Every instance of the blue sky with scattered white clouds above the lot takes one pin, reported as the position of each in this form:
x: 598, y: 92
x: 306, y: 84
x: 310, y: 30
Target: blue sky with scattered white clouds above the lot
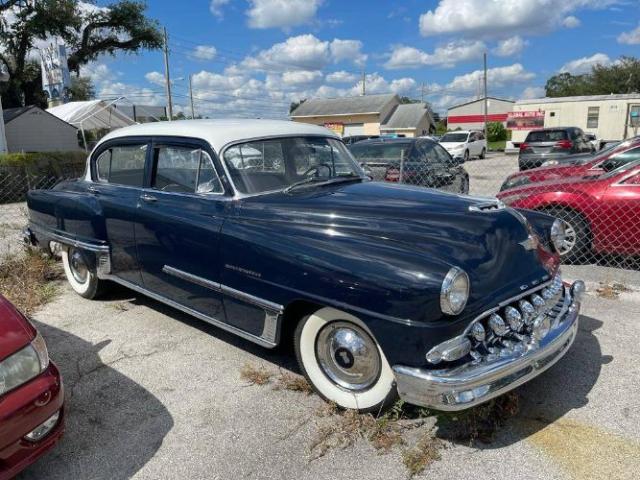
x: 251, y: 58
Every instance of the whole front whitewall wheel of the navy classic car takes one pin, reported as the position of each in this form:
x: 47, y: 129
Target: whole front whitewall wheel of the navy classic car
x: 343, y: 362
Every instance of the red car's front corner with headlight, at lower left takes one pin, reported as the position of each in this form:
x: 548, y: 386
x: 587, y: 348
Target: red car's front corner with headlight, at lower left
x: 31, y: 394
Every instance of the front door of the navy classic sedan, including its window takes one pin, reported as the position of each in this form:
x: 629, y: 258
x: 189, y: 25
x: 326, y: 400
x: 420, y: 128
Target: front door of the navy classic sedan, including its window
x: 180, y: 217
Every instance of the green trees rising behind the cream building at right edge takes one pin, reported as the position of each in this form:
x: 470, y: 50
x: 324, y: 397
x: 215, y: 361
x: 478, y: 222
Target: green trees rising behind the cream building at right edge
x: 621, y: 77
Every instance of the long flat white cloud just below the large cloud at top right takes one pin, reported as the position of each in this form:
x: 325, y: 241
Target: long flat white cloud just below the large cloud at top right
x: 446, y: 55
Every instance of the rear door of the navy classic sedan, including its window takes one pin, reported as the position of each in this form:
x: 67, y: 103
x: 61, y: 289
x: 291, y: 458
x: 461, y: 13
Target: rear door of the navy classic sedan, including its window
x: 118, y: 170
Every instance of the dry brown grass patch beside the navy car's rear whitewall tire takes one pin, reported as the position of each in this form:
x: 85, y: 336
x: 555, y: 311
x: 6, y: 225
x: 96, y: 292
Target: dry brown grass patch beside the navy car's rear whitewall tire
x: 27, y: 280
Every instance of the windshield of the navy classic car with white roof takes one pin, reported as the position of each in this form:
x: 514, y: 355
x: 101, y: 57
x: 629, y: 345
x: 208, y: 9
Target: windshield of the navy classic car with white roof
x: 269, y: 165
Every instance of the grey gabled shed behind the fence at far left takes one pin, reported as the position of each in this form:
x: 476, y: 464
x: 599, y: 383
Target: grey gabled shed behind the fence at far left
x: 31, y: 129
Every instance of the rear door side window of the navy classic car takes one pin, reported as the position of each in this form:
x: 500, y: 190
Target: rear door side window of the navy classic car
x: 122, y: 165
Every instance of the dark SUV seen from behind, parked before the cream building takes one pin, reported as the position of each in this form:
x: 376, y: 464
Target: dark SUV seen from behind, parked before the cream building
x: 547, y: 143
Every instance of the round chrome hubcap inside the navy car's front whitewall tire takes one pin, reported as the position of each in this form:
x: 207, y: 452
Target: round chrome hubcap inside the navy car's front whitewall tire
x: 348, y: 355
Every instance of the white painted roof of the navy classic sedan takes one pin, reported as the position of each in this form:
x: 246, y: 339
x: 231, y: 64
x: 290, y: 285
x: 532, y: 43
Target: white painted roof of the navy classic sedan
x: 221, y: 132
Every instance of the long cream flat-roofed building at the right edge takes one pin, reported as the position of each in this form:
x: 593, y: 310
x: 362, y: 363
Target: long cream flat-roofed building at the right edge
x: 608, y: 117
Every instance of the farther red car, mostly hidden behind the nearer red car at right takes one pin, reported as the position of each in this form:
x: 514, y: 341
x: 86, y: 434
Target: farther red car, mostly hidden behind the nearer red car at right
x: 585, y: 165
